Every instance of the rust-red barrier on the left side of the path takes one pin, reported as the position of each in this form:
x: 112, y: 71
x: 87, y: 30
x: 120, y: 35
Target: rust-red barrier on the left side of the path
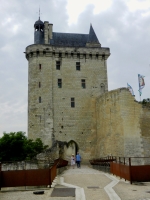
x: 32, y: 177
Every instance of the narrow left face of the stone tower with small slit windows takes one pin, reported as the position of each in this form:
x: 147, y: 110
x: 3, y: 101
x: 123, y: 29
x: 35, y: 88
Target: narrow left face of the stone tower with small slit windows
x: 40, y: 115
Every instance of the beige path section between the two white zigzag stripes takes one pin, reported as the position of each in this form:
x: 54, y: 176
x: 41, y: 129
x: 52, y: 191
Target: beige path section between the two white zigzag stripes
x: 92, y: 181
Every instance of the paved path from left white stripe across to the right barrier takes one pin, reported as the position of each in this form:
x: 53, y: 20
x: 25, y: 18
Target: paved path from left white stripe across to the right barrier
x: 103, y: 186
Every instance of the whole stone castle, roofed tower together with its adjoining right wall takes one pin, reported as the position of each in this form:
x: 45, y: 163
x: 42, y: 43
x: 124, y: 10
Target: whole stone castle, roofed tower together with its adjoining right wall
x: 68, y: 98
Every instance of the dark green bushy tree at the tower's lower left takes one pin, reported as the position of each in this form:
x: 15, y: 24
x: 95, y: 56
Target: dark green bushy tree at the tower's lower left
x: 15, y: 146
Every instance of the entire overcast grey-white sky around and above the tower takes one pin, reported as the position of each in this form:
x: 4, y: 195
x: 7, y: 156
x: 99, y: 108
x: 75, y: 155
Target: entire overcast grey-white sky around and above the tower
x: 121, y: 25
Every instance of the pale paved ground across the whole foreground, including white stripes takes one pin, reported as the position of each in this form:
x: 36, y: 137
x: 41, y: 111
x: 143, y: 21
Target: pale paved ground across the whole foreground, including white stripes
x: 90, y: 184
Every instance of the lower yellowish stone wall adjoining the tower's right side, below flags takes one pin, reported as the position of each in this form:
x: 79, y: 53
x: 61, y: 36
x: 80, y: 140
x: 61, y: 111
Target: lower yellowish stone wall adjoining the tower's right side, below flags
x: 123, y: 125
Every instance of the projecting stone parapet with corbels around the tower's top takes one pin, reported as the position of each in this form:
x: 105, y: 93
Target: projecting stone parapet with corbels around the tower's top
x: 60, y: 52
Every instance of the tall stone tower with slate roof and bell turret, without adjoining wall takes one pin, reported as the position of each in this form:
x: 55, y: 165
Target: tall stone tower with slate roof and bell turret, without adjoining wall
x: 66, y: 72
